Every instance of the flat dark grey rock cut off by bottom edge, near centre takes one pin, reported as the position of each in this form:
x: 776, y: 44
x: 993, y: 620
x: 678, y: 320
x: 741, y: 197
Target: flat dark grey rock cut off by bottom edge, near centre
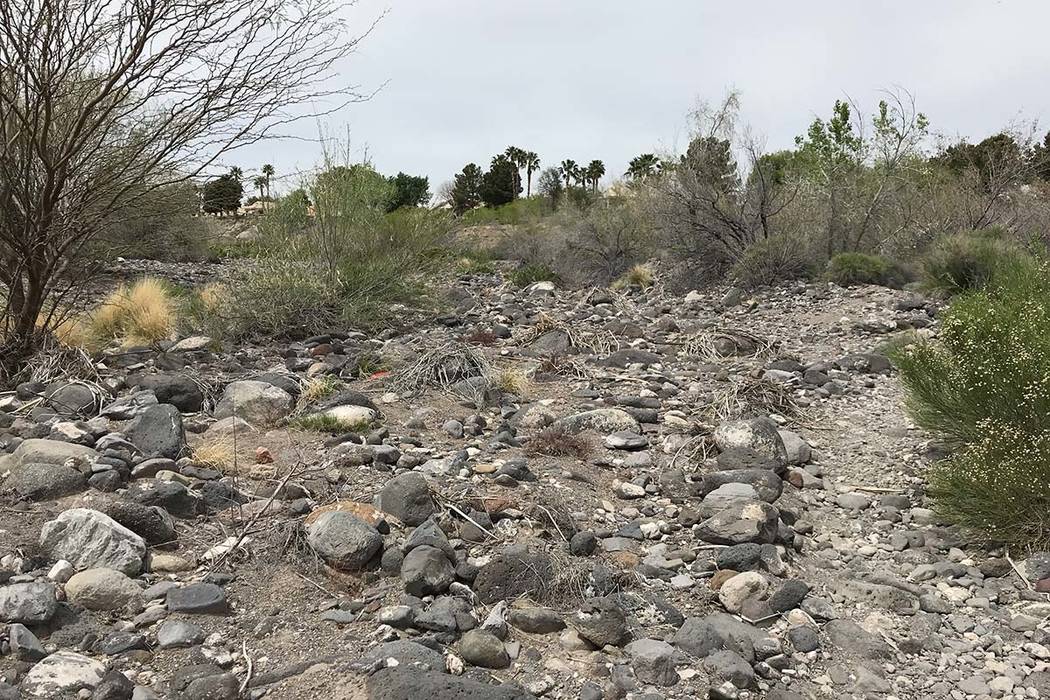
x: 397, y: 684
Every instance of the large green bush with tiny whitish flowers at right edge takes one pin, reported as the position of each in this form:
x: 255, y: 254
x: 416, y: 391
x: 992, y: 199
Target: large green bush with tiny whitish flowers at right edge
x: 983, y: 387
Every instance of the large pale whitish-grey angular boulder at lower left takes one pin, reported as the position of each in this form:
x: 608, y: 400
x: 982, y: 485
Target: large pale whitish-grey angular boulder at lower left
x: 91, y: 540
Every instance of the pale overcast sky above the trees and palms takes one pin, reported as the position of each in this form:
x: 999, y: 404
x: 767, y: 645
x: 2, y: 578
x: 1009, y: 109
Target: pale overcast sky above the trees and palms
x: 611, y: 79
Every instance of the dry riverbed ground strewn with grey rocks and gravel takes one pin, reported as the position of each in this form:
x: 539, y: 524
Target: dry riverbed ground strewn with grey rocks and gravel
x: 551, y: 494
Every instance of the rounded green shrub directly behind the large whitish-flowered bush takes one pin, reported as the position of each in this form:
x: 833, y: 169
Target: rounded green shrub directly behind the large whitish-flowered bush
x: 968, y: 262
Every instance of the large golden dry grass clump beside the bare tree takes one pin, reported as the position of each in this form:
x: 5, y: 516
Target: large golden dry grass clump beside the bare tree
x: 141, y: 313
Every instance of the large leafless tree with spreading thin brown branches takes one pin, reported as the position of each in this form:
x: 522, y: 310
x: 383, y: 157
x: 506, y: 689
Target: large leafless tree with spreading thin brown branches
x: 104, y: 101
